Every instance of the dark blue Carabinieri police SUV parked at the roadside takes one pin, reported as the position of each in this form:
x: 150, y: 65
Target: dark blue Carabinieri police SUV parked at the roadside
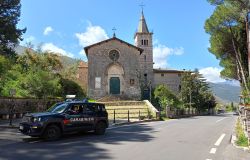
x: 66, y: 117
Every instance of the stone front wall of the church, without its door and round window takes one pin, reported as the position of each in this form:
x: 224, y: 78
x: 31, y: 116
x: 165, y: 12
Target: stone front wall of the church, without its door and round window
x: 99, y: 64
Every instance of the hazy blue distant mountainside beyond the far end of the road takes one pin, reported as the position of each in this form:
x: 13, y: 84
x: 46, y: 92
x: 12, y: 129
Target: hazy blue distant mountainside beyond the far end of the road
x: 225, y: 92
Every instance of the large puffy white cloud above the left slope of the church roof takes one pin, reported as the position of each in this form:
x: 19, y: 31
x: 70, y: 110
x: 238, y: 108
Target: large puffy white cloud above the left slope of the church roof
x: 93, y: 34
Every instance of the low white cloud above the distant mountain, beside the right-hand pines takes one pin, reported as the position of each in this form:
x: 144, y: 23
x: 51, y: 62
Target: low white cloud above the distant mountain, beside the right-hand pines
x: 212, y: 74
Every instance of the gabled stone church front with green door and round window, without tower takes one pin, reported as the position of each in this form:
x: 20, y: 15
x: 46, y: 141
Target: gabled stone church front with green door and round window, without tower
x: 113, y: 69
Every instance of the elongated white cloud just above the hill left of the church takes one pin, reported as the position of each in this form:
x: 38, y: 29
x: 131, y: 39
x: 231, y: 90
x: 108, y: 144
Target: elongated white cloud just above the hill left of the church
x: 50, y: 47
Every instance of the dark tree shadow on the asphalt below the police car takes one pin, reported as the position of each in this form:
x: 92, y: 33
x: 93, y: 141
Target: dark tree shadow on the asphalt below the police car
x: 77, y: 146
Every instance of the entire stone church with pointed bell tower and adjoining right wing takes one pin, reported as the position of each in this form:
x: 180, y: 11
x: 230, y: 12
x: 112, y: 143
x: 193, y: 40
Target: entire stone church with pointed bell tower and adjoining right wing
x: 116, y: 67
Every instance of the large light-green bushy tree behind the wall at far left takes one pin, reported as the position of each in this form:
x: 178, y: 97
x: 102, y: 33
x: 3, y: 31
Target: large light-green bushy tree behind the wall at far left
x: 34, y: 75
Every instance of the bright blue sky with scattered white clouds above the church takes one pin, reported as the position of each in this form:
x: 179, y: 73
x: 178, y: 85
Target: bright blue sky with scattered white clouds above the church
x: 67, y: 26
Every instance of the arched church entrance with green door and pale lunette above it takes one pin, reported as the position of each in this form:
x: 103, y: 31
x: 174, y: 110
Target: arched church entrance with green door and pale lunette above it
x: 115, y: 79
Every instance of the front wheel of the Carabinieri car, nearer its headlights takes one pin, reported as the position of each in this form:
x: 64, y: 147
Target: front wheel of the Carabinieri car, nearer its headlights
x: 52, y: 133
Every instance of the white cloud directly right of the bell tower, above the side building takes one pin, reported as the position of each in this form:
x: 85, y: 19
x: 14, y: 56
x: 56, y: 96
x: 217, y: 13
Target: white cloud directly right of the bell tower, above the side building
x: 161, y: 53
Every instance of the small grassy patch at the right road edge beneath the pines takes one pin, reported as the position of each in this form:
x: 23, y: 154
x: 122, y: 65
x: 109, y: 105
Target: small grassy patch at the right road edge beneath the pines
x: 242, y: 140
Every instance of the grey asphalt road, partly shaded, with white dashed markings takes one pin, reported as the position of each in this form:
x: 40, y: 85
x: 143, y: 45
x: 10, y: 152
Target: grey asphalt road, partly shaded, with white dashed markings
x: 195, y: 138
